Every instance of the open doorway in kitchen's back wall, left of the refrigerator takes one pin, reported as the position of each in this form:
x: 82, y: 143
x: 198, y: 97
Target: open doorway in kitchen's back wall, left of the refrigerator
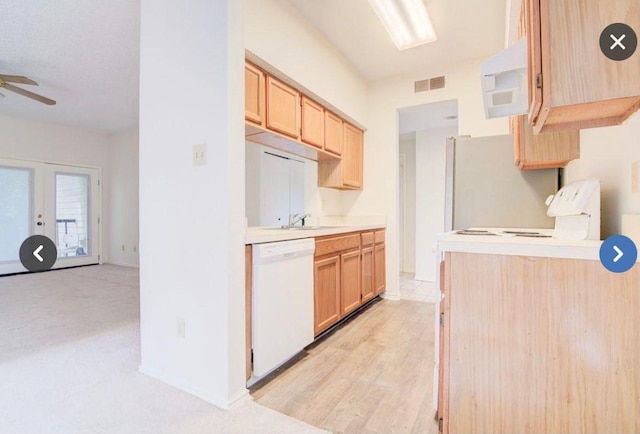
x: 422, y: 137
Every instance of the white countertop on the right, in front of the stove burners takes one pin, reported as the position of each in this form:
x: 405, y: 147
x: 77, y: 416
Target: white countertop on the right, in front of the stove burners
x: 519, y: 246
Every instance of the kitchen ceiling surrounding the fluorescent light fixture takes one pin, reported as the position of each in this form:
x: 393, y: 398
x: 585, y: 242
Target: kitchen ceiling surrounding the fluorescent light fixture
x: 466, y: 29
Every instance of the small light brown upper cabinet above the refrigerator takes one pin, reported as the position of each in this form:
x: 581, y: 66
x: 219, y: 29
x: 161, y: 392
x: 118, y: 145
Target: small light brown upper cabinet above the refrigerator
x: 545, y: 150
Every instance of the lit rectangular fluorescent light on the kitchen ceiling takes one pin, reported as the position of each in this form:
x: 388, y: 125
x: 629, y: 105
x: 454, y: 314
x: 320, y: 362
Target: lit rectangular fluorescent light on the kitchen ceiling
x: 407, y: 21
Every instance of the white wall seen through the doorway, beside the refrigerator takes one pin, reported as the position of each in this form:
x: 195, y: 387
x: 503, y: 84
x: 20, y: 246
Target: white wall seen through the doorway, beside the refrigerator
x: 430, y: 197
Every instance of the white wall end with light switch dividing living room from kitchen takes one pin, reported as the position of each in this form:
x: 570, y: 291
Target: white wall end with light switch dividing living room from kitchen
x: 192, y: 217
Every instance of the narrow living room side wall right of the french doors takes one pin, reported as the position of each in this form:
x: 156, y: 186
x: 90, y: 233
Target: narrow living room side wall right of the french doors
x: 123, y: 198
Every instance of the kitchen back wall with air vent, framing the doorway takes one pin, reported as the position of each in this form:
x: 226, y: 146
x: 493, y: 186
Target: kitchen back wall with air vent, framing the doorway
x: 380, y: 195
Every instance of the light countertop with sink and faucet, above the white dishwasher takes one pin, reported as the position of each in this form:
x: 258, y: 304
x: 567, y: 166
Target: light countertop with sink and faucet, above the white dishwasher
x: 258, y: 235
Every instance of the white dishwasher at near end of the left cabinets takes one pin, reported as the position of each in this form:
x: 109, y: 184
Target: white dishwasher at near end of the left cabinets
x: 282, y: 303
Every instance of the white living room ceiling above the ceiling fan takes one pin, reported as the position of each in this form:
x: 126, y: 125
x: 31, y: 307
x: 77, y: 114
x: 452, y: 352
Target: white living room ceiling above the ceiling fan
x: 84, y: 54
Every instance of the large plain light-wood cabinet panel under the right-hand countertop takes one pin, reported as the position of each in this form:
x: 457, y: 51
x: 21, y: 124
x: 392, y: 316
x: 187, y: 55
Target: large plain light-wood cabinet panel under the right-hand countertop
x: 539, y: 345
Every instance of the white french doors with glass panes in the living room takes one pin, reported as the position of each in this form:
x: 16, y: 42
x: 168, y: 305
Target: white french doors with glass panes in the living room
x: 58, y: 201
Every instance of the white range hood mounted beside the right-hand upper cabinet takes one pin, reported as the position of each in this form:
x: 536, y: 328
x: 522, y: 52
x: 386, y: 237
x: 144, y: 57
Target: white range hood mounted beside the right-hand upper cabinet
x: 504, y: 82
